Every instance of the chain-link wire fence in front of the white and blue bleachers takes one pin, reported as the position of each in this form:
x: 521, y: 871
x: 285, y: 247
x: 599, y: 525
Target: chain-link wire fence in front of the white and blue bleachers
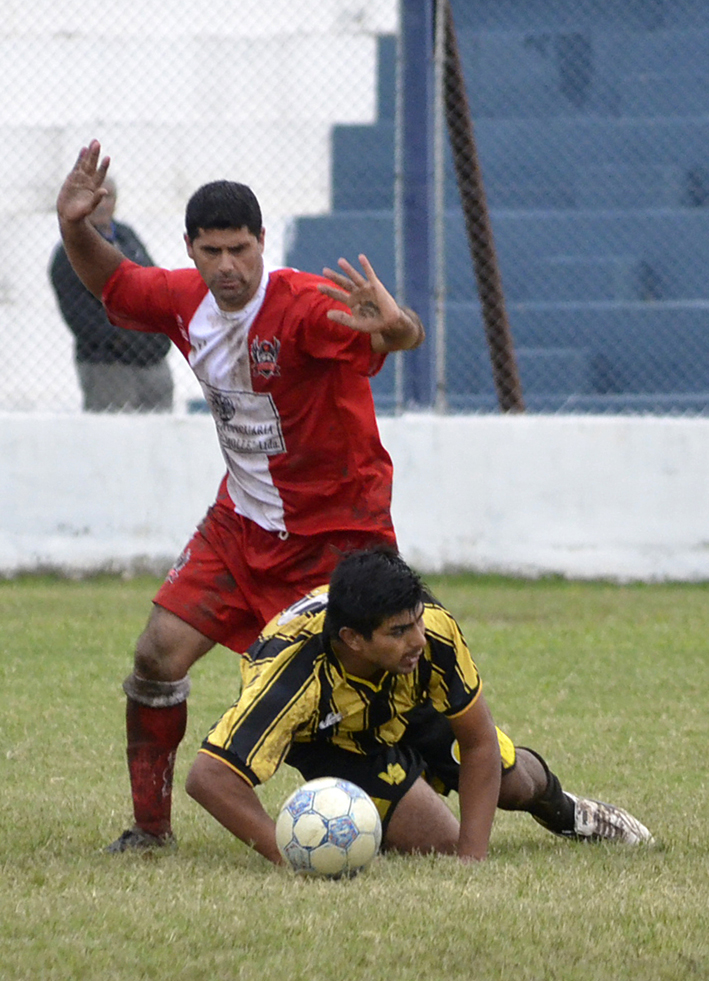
x: 578, y: 284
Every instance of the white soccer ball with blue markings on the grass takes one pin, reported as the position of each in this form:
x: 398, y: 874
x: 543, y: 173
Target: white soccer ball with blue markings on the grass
x: 329, y: 827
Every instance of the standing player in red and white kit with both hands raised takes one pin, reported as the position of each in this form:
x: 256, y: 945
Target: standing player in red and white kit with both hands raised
x: 284, y: 360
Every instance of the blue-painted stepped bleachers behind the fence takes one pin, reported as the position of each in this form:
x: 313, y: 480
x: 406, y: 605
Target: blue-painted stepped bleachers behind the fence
x: 592, y: 128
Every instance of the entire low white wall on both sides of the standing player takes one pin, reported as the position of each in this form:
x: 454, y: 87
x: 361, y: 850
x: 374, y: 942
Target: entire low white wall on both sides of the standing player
x: 620, y: 498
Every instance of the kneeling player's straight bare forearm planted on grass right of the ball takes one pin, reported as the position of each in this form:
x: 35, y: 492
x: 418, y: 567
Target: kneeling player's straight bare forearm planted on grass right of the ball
x: 479, y: 791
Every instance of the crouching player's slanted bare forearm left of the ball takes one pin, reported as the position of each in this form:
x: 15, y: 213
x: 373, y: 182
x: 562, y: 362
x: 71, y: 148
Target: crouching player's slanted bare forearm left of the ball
x: 229, y: 799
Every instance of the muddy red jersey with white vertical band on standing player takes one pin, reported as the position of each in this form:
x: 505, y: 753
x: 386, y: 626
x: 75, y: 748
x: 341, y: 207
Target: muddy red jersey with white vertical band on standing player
x: 288, y: 390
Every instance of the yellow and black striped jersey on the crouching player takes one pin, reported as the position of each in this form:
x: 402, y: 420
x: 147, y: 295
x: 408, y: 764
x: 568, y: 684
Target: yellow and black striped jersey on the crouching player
x: 296, y: 690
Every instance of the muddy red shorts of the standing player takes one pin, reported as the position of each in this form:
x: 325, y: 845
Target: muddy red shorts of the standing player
x: 234, y: 576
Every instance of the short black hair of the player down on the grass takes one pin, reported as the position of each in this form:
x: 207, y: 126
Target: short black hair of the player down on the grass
x: 367, y: 588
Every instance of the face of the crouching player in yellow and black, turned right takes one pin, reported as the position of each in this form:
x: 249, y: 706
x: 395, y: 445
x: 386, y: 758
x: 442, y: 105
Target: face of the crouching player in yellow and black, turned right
x: 395, y: 646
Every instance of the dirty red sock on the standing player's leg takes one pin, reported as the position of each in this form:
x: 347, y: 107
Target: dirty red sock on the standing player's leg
x: 153, y: 737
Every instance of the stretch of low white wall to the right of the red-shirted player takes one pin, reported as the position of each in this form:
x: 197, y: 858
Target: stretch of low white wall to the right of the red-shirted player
x: 584, y: 497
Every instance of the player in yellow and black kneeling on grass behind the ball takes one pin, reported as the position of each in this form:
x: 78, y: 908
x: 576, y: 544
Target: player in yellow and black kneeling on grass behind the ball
x: 372, y: 681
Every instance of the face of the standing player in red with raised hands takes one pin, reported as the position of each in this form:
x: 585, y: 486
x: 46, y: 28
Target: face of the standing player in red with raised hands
x: 230, y: 261
